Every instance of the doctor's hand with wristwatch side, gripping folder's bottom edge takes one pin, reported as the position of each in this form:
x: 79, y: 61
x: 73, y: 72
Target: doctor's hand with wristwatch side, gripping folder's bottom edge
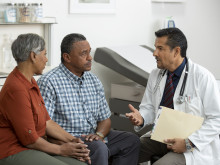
x: 176, y: 145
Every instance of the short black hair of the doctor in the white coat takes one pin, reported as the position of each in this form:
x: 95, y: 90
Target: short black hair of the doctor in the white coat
x: 175, y: 37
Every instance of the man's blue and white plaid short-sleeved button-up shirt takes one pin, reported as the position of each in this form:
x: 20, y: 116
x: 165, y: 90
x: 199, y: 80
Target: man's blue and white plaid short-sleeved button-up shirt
x: 75, y: 103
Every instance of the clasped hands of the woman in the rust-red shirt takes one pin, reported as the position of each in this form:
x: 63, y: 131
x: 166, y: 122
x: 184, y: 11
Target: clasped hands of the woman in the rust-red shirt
x: 75, y: 150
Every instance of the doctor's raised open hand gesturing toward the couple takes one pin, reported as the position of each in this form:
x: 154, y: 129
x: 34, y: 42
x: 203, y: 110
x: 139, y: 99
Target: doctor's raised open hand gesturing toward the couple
x: 135, y: 116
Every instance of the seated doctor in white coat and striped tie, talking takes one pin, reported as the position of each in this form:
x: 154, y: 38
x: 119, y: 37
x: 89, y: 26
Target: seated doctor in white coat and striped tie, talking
x: 195, y: 92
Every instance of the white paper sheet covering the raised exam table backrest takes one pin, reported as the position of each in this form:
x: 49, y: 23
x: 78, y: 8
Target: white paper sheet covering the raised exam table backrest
x: 137, y: 55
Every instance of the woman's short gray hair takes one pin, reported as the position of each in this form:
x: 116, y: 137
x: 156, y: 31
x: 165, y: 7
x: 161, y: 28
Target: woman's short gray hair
x: 25, y: 44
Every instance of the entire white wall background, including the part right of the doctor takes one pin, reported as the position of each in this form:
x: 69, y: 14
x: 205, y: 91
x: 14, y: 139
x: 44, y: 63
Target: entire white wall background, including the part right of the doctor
x: 134, y: 23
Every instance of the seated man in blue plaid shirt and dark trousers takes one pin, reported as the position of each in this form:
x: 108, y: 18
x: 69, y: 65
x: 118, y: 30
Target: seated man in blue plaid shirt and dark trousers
x: 75, y: 99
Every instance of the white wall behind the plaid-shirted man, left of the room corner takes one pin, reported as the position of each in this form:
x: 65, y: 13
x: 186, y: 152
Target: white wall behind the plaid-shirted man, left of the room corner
x: 129, y: 25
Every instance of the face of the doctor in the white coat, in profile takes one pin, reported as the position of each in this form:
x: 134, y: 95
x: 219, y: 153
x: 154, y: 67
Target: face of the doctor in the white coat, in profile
x: 164, y: 56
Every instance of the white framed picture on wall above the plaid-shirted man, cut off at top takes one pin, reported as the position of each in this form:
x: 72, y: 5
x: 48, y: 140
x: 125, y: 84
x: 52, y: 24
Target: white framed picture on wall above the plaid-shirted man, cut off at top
x: 92, y: 6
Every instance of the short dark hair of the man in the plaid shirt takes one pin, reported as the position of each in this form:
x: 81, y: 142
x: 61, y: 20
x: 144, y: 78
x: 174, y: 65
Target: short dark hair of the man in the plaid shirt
x: 68, y: 41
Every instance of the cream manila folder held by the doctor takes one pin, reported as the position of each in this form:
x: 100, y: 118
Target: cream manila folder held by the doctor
x: 175, y: 124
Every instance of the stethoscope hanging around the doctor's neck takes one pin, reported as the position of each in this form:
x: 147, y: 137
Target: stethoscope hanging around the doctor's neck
x: 180, y: 98
